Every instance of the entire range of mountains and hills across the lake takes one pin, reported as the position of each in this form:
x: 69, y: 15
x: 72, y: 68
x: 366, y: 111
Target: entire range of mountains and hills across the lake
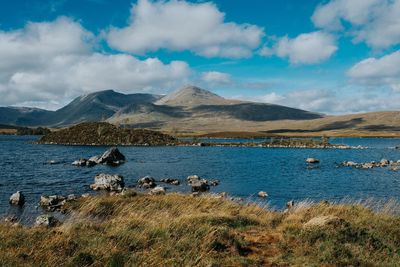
x: 195, y: 110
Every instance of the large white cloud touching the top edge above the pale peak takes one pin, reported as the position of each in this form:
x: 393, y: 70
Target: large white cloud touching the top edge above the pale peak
x: 180, y: 25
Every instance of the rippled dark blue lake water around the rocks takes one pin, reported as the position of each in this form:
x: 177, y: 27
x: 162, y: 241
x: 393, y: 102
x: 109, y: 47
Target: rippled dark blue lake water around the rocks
x: 242, y: 171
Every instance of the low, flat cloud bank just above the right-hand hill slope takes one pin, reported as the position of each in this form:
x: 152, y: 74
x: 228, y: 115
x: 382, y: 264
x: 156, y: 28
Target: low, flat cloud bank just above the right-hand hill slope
x: 333, y: 102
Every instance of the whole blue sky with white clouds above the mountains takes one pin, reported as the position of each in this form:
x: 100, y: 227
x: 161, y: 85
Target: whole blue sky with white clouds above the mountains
x: 328, y: 56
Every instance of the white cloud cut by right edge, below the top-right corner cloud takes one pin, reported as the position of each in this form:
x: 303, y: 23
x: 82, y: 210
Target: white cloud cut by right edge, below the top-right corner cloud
x: 378, y: 71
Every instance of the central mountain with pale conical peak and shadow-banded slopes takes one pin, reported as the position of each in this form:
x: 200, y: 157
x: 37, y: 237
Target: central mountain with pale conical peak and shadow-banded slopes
x: 195, y: 106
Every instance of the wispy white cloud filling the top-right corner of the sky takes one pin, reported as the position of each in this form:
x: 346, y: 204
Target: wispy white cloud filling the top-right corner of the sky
x: 377, y: 22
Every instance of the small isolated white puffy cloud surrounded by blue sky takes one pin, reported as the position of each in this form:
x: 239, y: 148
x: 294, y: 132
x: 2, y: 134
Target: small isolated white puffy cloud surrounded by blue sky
x: 307, y: 48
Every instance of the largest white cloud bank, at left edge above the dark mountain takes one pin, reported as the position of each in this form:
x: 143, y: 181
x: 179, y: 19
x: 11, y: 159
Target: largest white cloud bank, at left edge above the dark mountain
x: 56, y: 60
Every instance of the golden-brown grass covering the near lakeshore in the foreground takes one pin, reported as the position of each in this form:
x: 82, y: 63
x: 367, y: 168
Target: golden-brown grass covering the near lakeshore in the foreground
x: 178, y: 230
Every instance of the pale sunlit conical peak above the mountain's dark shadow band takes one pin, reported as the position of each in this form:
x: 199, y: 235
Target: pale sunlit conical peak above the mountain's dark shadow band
x: 191, y: 96
